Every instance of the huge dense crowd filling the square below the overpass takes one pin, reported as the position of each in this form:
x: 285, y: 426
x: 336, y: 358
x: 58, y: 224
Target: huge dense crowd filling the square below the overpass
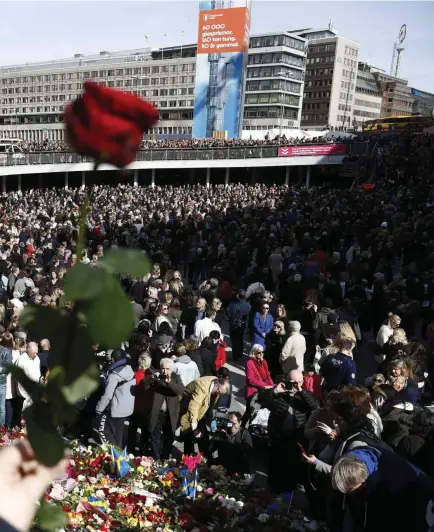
x: 327, y: 297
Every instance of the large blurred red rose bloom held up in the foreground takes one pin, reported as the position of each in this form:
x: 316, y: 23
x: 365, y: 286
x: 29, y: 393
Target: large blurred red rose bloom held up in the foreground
x: 107, y: 124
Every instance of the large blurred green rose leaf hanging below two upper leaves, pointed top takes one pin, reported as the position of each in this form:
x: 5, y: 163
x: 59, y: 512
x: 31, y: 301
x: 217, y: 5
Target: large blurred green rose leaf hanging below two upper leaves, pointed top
x: 110, y: 316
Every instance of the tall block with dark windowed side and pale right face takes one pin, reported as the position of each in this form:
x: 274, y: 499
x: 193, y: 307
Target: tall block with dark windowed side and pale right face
x: 330, y: 83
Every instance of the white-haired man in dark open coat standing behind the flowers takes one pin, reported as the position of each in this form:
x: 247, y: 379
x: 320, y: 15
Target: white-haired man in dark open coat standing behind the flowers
x: 165, y: 389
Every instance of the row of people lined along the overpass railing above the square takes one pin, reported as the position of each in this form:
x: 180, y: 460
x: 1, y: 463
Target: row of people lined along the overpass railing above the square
x: 32, y: 146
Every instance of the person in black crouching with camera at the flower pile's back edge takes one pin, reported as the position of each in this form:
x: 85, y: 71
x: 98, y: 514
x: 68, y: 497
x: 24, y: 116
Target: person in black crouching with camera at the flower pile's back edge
x: 233, y: 445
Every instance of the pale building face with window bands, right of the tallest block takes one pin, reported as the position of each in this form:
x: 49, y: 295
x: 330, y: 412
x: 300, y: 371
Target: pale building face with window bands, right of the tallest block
x: 367, y: 98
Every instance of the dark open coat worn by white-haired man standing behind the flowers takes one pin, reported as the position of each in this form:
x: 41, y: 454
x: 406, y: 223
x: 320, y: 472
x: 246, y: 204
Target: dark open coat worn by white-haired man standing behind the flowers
x: 161, y: 390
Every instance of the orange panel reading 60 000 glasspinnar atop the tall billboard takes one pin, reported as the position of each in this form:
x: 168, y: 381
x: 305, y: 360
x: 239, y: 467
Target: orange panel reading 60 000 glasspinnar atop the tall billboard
x: 222, y: 30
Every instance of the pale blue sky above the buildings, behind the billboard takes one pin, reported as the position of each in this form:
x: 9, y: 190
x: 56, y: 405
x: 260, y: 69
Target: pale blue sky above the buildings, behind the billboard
x: 41, y: 30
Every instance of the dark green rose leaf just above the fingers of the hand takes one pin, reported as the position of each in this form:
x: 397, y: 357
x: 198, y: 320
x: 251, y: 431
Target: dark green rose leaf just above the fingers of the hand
x: 43, y: 436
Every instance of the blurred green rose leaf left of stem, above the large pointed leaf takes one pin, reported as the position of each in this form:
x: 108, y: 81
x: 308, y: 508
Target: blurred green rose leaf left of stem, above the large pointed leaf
x: 84, y: 282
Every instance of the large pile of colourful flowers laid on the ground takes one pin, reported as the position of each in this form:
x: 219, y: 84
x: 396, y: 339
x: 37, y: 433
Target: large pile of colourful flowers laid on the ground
x: 150, y: 496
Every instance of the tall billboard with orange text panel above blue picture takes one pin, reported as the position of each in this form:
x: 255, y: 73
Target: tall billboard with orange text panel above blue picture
x: 221, y: 63
